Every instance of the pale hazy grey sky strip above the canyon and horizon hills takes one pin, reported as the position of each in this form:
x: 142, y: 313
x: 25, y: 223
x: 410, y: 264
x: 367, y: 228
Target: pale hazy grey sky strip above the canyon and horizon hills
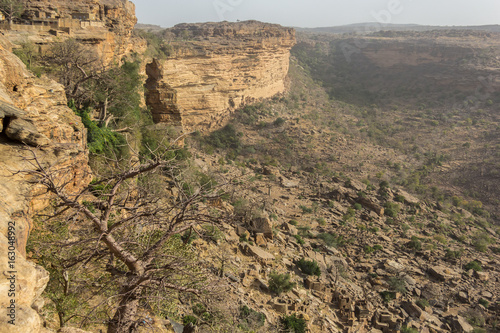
x: 320, y: 13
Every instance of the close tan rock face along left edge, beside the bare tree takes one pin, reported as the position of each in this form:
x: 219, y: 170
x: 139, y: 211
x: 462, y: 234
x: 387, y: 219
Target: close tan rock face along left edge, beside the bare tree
x: 34, y: 121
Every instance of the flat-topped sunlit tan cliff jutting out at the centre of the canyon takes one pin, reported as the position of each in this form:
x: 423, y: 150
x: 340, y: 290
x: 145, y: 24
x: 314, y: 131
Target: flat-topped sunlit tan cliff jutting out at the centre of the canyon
x: 218, y: 68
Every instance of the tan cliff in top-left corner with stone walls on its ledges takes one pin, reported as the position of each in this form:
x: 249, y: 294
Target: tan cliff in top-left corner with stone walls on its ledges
x: 105, y: 24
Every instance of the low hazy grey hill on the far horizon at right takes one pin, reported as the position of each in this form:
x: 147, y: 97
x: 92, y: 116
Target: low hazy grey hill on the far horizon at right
x: 374, y: 27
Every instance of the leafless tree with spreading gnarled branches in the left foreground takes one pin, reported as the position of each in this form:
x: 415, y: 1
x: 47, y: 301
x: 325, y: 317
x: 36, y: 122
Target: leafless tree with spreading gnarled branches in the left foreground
x: 133, y: 219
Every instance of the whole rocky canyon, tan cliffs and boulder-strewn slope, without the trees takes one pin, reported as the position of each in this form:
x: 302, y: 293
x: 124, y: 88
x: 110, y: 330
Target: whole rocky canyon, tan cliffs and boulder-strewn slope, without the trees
x: 294, y: 177
